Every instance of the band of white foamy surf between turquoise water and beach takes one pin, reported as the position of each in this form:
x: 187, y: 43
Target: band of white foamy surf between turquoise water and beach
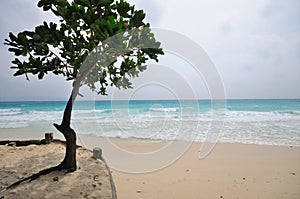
x: 279, y: 127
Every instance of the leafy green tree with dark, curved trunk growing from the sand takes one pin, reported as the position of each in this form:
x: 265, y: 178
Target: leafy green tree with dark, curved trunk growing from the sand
x: 84, y: 30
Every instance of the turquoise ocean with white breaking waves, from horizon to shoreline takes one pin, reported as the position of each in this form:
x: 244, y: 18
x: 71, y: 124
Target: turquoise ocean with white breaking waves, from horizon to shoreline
x: 269, y: 122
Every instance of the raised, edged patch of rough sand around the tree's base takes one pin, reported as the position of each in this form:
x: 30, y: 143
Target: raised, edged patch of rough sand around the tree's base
x: 90, y: 180
